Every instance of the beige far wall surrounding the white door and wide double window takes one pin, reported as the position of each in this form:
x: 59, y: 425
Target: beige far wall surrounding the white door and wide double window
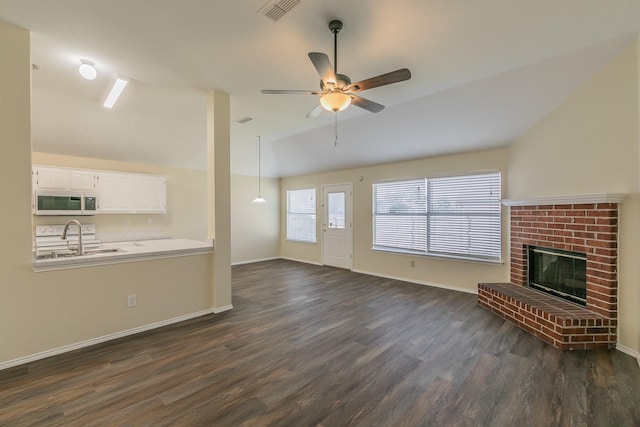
x: 454, y: 274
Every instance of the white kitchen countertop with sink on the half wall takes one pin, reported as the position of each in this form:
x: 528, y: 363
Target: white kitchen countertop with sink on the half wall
x: 127, y: 252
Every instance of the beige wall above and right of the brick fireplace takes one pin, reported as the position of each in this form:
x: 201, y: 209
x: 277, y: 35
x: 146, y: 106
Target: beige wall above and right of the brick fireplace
x: 588, y: 145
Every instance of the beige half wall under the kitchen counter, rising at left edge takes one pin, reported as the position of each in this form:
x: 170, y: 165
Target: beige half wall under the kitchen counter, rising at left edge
x: 41, y: 313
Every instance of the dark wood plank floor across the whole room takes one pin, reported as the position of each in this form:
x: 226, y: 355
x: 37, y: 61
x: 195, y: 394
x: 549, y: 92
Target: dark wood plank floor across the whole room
x: 316, y: 346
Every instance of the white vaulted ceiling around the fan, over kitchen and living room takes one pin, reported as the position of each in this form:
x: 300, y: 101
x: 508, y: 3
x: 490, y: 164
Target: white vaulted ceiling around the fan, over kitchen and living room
x: 483, y: 73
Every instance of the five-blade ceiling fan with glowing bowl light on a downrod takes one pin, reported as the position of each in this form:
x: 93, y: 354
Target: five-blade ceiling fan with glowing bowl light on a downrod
x: 336, y: 90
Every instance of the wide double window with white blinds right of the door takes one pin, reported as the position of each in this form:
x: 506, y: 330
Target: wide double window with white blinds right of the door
x: 457, y: 216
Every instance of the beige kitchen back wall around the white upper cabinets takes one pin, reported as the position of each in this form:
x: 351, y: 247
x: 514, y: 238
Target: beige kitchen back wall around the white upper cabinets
x: 186, y: 215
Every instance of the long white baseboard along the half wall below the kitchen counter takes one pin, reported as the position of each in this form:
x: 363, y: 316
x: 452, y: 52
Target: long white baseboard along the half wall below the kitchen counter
x: 109, y: 337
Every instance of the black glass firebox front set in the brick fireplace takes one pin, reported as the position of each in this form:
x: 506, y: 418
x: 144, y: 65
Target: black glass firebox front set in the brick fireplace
x: 559, y: 273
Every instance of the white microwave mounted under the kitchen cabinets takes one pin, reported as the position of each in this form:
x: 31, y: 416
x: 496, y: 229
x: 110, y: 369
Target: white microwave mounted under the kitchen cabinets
x: 62, y: 202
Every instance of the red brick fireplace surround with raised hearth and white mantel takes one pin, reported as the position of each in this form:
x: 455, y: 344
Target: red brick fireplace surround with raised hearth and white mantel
x: 585, y: 224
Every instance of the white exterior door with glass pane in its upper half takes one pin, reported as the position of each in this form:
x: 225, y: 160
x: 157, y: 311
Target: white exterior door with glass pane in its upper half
x: 337, y: 227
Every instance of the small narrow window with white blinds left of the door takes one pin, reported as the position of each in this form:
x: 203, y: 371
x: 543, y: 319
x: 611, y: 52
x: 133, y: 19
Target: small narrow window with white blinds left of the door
x: 301, y: 215
